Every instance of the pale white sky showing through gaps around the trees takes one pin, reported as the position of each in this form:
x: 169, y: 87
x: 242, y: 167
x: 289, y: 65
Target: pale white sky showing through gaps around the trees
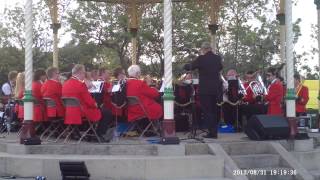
x: 304, y: 9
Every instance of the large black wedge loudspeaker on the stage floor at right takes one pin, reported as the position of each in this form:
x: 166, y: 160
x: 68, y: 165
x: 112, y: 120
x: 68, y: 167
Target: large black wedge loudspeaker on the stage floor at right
x: 264, y: 127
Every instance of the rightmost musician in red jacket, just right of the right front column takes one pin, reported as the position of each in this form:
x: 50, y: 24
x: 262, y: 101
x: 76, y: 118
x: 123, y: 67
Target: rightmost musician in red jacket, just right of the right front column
x: 302, y: 93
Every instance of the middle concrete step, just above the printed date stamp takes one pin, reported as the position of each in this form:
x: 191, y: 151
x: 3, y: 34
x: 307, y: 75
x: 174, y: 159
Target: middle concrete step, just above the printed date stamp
x: 256, y: 160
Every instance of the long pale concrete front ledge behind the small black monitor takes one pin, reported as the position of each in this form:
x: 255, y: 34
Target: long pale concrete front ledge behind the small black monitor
x: 116, y: 167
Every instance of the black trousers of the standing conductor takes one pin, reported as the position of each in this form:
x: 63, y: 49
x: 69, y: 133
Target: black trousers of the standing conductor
x: 210, y: 112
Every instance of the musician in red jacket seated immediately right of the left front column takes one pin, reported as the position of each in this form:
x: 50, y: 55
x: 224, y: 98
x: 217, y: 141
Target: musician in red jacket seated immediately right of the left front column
x: 39, y: 111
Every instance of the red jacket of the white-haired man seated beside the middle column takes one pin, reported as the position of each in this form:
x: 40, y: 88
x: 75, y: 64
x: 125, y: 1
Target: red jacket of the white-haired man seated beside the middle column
x: 147, y: 96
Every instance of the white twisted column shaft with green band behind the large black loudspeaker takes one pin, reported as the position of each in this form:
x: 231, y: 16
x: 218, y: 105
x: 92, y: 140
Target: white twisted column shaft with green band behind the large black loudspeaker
x: 290, y: 103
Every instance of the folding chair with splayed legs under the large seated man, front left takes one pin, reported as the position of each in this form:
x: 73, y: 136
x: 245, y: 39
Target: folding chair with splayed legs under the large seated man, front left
x: 73, y: 119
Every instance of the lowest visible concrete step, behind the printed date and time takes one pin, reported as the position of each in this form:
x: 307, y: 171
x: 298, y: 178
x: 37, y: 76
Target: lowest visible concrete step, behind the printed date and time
x: 271, y: 173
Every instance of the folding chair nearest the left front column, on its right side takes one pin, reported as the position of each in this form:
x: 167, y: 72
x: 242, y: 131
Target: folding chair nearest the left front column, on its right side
x: 56, y: 123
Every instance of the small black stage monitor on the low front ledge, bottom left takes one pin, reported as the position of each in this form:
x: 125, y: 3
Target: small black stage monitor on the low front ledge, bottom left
x: 72, y: 170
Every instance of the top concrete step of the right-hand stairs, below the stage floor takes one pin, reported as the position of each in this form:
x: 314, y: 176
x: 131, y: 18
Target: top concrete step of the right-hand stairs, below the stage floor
x: 246, y: 148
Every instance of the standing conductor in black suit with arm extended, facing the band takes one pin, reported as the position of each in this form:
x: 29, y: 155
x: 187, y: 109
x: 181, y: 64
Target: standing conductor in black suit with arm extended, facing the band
x: 209, y: 66
